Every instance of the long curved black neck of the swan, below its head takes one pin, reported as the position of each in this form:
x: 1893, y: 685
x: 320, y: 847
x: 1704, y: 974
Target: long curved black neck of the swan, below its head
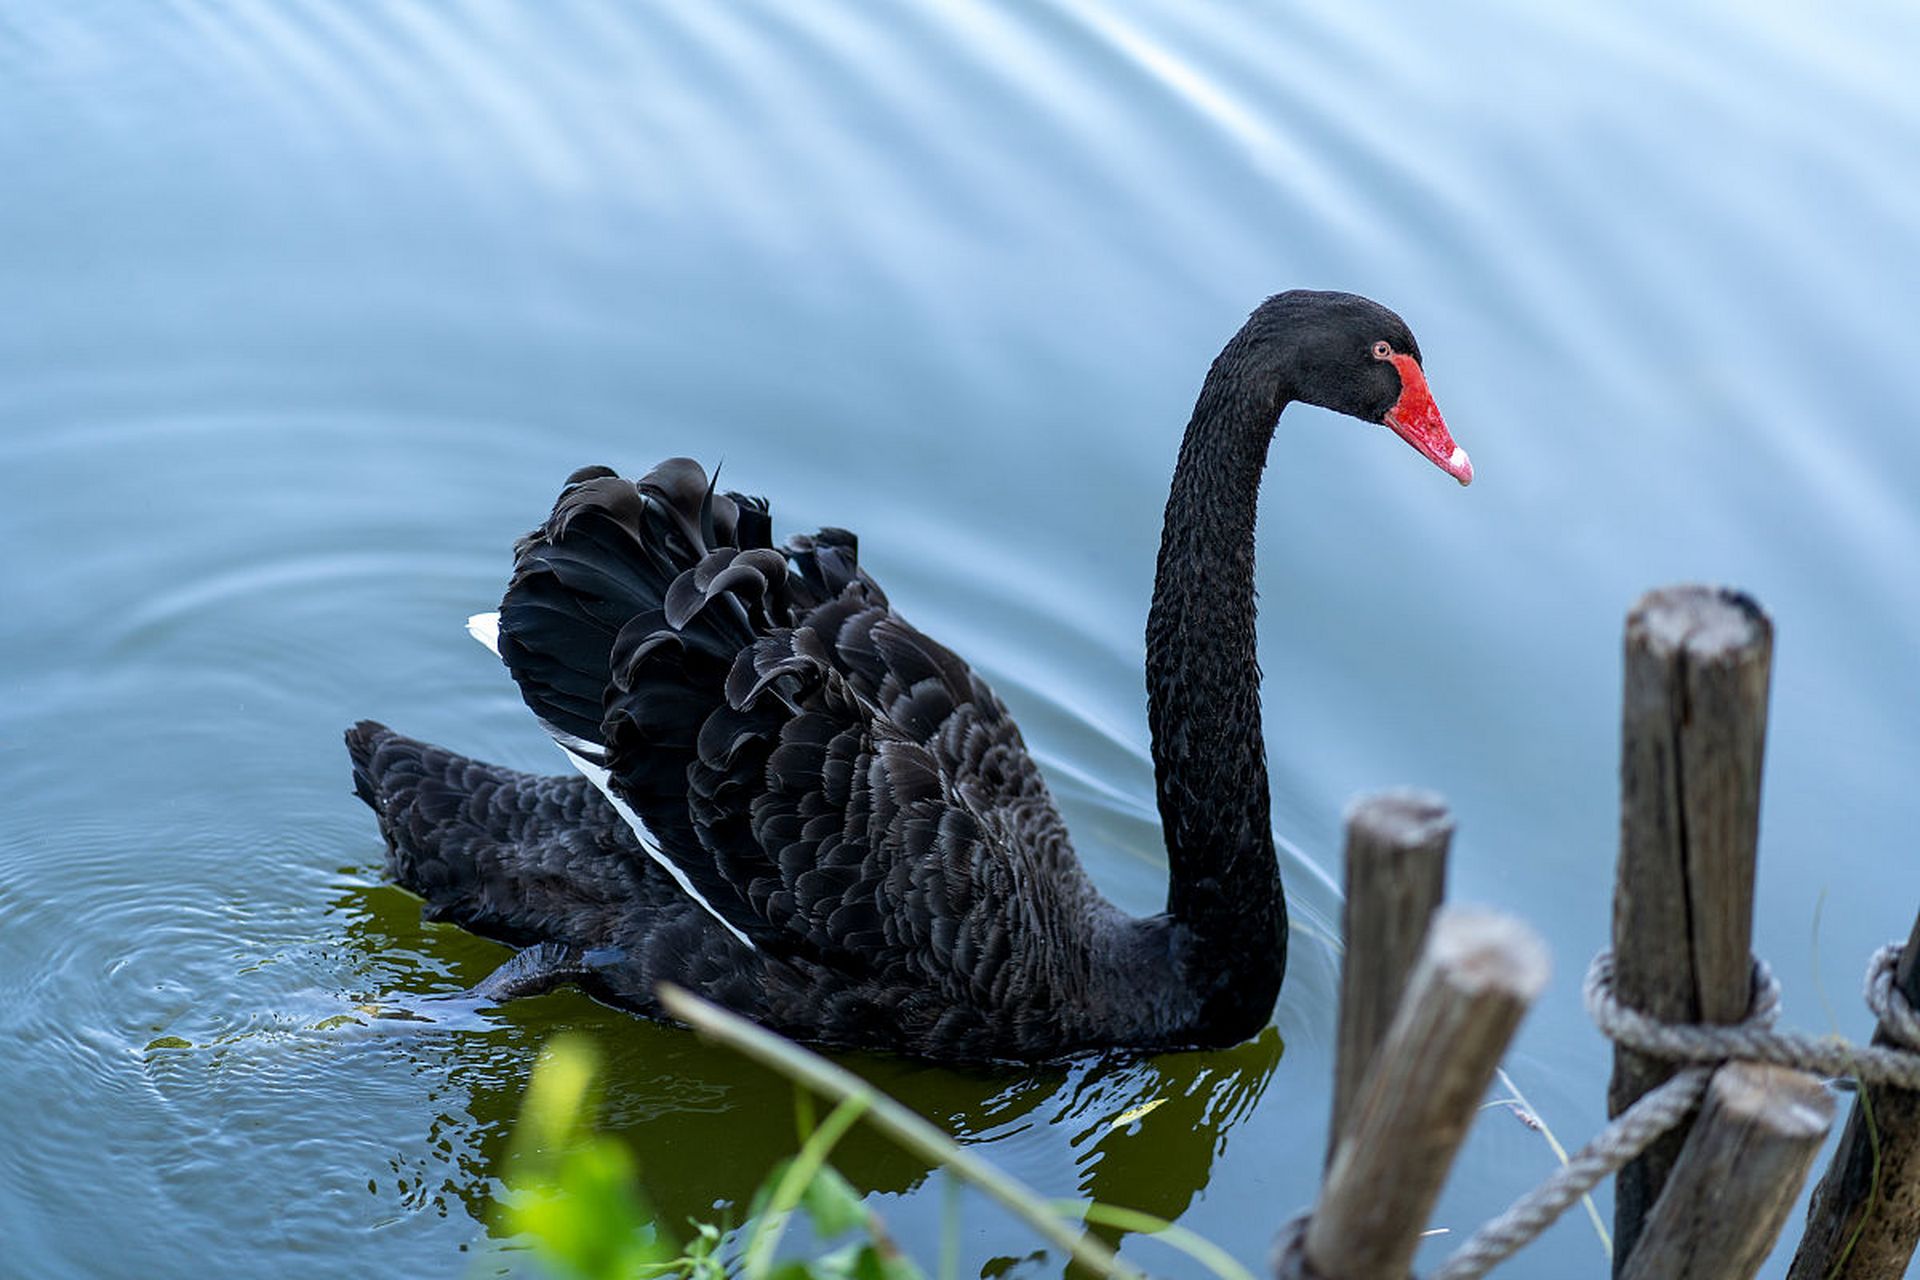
x: 1203, y: 705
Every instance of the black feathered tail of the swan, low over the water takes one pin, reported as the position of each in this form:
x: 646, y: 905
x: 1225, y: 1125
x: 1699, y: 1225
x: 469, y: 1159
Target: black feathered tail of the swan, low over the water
x: 508, y: 855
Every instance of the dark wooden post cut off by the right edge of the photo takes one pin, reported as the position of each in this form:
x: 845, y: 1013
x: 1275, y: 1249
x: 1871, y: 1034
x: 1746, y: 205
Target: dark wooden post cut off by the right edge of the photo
x: 1852, y: 1231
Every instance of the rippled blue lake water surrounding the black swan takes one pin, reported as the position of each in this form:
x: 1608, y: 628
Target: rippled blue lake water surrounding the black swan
x: 308, y: 308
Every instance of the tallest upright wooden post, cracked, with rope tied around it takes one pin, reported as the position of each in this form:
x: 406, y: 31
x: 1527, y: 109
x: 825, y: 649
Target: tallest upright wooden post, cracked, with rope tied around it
x: 1692, y: 738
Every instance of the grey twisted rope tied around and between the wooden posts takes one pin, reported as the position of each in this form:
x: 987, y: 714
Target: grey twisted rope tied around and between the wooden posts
x: 1754, y: 1039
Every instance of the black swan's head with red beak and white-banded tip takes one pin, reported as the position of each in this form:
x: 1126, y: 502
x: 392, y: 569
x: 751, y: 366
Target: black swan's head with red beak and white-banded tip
x: 1351, y: 354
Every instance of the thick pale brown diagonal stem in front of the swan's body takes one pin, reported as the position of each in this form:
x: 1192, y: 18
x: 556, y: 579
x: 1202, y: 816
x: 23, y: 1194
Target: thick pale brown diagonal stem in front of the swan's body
x: 898, y: 1122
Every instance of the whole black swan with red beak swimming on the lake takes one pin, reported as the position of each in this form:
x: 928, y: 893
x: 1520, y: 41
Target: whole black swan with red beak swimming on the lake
x: 804, y: 809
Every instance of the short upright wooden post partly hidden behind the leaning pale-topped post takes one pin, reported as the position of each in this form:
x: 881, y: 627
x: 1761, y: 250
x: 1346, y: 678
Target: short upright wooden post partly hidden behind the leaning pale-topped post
x: 1397, y: 845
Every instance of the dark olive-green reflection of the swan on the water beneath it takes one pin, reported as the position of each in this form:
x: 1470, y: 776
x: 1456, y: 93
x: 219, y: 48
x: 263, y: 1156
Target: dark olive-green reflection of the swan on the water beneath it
x: 708, y: 1126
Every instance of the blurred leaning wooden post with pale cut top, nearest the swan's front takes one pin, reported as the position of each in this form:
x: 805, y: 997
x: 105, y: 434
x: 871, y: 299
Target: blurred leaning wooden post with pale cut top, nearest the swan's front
x: 1464, y: 1003
